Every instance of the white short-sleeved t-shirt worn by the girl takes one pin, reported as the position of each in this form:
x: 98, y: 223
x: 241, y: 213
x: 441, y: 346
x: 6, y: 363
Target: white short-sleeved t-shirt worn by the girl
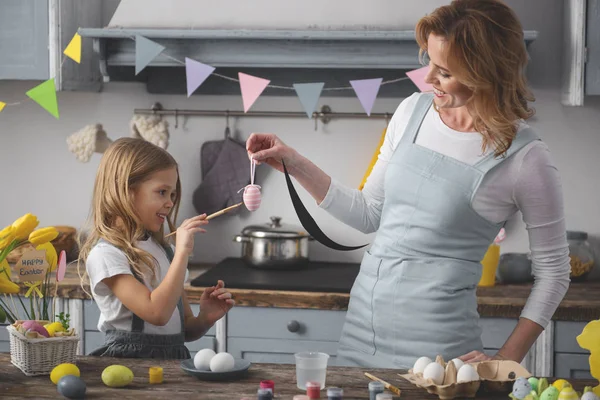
x: 105, y: 261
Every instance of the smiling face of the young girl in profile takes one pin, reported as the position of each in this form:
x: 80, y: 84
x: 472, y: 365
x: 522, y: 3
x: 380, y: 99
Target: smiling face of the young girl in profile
x: 153, y: 199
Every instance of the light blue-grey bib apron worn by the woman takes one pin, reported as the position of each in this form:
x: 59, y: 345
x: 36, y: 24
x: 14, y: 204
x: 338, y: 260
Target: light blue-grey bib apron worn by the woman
x: 415, y: 294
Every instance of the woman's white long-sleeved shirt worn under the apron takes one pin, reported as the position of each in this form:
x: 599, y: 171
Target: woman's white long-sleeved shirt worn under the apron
x: 527, y: 182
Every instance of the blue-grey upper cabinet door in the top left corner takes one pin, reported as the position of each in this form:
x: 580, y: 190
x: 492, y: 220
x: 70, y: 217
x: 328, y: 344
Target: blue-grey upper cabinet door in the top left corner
x: 24, y: 39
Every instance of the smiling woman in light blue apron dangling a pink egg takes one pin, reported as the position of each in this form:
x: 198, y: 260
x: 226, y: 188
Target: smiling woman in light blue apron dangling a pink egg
x: 454, y: 167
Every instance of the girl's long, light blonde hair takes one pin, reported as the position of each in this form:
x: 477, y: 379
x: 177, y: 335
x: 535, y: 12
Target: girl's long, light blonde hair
x: 126, y: 163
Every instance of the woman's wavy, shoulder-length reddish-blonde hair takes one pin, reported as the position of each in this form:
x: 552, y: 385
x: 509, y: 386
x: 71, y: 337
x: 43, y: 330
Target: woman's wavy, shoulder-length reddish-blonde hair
x: 486, y: 52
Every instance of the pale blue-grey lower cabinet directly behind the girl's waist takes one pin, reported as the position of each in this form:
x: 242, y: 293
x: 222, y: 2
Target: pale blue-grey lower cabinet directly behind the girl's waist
x: 94, y: 339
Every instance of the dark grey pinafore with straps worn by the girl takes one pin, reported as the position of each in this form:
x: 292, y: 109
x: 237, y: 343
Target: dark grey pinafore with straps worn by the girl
x: 137, y: 344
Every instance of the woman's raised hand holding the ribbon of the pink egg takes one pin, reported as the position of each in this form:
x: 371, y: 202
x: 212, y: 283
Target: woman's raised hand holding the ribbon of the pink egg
x: 268, y: 148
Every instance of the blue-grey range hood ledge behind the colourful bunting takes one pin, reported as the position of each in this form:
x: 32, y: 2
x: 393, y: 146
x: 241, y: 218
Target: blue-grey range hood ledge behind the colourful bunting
x: 282, y: 56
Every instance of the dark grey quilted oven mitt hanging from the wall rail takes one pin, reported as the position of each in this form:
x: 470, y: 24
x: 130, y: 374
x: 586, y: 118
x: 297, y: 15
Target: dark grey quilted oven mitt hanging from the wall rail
x: 228, y: 173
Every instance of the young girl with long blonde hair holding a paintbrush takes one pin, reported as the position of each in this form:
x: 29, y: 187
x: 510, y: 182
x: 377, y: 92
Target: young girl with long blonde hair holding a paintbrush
x: 136, y: 278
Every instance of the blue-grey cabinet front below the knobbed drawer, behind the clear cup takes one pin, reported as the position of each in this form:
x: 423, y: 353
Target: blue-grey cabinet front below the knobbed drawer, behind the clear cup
x: 277, y: 351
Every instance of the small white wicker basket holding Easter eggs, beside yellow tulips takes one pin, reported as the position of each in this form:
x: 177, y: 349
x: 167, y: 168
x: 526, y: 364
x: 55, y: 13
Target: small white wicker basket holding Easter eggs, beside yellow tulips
x: 40, y: 356
